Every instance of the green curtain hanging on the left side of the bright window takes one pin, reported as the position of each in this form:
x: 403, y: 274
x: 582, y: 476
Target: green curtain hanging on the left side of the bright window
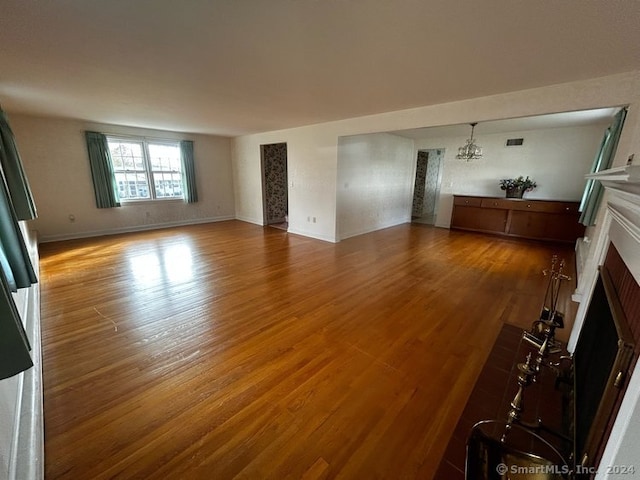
x: 104, y: 180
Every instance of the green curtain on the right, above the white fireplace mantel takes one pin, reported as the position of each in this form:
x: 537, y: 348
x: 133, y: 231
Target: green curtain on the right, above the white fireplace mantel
x: 594, y: 190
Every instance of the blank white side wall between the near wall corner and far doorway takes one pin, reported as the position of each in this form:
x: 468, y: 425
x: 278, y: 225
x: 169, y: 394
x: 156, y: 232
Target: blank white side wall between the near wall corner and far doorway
x: 374, y: 182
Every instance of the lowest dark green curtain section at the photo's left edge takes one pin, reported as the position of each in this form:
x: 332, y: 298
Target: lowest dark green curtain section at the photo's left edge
x: 14, y: 344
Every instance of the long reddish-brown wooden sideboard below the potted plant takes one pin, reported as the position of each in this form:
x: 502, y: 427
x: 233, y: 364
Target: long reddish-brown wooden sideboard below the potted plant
x: 535, y: 219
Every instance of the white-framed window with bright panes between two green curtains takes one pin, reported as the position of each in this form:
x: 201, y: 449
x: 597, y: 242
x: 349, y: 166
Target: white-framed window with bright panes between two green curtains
x: 146, y: 170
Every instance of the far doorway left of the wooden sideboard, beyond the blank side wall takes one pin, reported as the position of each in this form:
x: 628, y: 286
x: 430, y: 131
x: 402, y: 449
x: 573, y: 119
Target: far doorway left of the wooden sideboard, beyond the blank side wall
x: 426, y: 192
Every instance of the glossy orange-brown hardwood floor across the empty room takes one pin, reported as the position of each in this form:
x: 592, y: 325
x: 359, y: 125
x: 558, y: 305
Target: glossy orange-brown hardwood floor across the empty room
x: 229, y: 350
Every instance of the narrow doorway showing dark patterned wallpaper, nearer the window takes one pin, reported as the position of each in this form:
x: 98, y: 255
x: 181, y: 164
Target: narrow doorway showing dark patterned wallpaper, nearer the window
x: 275, y: 200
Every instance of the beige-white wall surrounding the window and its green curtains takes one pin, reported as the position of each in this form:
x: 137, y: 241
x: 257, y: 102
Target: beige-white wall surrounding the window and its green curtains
x: 54, y: 155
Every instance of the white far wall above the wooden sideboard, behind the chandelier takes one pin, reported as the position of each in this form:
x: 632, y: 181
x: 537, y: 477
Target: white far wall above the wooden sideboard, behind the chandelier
x: 557, y: 159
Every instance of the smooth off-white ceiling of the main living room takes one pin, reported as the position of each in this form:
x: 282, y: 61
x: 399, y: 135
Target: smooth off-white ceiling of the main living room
x: 231, y: 67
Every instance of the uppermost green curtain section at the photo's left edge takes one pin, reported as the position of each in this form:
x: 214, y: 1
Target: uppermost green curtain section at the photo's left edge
x: 14, y: 174
